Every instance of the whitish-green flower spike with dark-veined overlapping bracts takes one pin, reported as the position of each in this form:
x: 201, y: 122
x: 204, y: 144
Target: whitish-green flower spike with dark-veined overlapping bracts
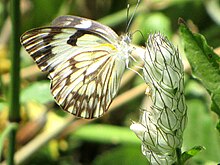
x: 161, y: 126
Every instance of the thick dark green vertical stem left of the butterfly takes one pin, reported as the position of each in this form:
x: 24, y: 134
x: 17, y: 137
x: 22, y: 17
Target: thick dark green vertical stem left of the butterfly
x: 14, y: 113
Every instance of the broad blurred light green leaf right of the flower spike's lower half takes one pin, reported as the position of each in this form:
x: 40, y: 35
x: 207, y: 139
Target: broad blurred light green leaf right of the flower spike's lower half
x: 201, y: 131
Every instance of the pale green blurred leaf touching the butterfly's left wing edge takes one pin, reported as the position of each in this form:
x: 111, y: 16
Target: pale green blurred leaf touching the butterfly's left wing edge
x: 38, y: 91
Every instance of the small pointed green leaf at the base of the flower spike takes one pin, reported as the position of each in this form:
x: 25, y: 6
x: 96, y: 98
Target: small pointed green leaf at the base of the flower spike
x: 190, y: 153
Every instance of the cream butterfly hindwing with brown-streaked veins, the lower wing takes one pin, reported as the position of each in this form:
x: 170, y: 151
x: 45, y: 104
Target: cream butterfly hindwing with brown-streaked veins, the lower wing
x: 92, y: 91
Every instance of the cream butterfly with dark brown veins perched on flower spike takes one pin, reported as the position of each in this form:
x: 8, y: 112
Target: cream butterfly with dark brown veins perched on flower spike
x: 85, y: 61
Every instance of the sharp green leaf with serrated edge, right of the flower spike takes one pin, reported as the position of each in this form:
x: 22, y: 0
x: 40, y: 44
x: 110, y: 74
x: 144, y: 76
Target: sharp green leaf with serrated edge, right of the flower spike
x: 204, y: 62
